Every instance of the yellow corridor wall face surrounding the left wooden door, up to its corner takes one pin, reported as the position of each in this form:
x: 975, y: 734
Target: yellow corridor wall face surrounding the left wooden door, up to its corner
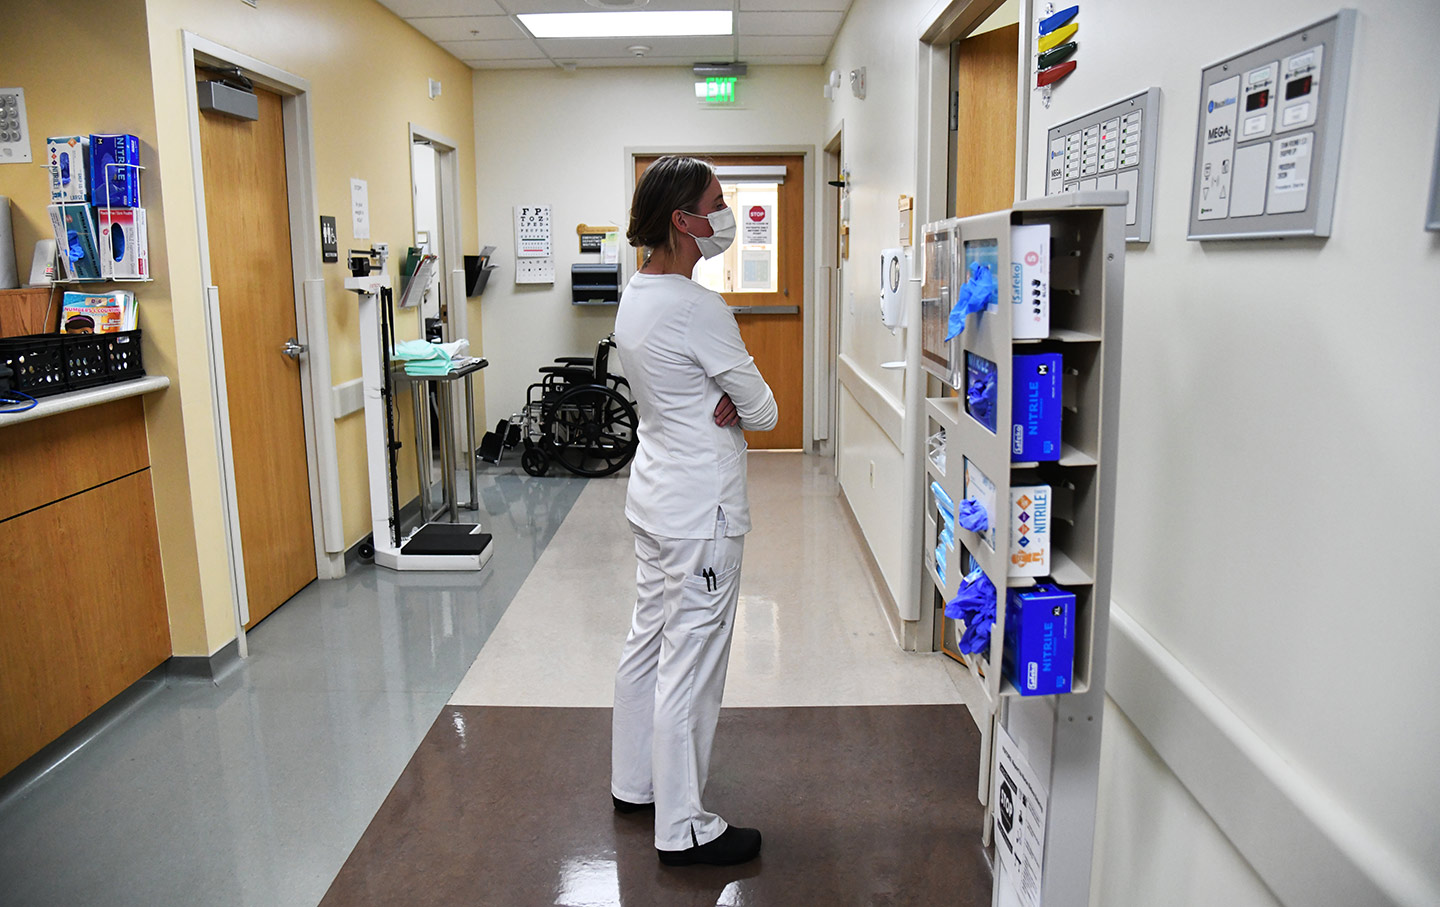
x: 368, y: 76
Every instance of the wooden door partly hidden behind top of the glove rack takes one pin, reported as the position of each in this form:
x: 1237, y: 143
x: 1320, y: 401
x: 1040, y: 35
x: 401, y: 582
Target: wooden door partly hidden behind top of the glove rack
x: 987, y: 73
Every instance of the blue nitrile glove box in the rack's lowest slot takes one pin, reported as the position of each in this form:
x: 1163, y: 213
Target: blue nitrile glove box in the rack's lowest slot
x: 1040, y: 640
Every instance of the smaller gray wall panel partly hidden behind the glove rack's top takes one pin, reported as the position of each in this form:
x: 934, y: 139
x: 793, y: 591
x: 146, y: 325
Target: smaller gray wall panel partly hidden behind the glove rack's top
x: 1112, y: 148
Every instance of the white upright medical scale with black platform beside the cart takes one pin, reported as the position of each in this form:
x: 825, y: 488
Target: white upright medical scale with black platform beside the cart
x: 433, y: 546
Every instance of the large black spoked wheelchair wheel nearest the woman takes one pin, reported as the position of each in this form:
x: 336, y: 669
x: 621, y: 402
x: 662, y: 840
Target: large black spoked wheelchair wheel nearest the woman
x: 593, y: 431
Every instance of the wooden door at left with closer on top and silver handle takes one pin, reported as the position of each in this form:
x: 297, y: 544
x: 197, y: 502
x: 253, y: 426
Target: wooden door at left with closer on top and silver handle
x: 248, y: 222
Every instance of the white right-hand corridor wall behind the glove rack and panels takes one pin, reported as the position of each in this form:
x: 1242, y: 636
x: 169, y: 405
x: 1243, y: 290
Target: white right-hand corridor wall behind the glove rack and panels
x: 1271, y: 729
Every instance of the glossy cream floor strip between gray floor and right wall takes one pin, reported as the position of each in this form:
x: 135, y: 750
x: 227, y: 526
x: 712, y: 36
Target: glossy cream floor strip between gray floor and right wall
x: 810, y: 631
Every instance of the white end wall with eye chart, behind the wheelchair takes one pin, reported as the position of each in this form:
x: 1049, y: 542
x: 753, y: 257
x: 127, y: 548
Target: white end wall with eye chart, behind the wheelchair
x: 559, y: 139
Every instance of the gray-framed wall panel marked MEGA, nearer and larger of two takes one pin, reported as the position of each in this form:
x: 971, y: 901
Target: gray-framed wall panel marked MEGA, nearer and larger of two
x: 1269, y: 140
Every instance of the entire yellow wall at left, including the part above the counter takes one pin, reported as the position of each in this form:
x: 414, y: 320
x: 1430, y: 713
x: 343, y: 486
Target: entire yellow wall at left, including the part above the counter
x: 368, y: 76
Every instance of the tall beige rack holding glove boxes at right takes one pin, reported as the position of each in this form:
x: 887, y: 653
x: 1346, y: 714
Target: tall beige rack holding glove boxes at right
x: 1059, y: 735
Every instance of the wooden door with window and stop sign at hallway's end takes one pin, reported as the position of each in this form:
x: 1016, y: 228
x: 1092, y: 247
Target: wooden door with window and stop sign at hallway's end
x: 775, y: 340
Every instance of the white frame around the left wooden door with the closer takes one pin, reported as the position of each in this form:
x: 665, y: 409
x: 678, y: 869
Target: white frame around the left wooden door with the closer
x: 310, y: 315
